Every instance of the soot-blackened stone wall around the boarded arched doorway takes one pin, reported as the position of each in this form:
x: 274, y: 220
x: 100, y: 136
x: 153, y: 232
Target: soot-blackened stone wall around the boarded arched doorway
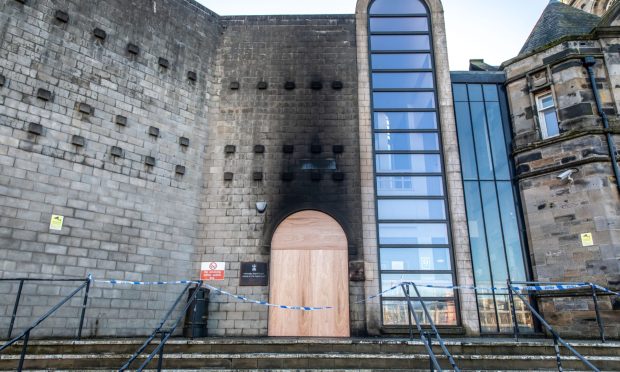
x: 315, y: 120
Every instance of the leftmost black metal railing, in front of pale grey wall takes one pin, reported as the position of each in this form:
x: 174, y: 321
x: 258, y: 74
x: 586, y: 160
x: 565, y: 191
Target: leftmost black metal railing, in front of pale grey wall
x: 25, y: 335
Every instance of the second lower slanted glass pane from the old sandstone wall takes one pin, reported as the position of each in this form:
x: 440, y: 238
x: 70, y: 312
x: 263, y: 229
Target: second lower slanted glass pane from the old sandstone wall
x: 495, y: 238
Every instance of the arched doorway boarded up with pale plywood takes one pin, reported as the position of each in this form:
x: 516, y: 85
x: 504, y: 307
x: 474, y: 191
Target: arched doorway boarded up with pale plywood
x: 309, y: 267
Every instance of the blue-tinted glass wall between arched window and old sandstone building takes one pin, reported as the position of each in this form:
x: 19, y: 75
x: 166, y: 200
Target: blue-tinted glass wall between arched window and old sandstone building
x: 494, y: 228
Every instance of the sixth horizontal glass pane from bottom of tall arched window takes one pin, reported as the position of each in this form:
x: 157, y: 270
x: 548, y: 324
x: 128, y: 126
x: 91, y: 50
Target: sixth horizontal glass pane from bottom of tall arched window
x: 409, y: 186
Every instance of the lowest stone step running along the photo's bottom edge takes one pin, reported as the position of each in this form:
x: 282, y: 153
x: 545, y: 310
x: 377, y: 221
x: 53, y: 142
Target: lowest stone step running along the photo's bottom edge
x: 308, y: 361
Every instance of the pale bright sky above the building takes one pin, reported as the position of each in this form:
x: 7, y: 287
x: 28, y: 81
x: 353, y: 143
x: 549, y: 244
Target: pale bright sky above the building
x: 494, y: 30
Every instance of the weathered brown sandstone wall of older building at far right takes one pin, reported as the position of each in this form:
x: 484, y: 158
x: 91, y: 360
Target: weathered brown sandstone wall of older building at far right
x: 558, y: 211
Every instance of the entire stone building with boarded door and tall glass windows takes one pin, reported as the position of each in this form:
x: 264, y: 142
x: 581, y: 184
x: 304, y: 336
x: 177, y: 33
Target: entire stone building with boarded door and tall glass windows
x: 337, y: 150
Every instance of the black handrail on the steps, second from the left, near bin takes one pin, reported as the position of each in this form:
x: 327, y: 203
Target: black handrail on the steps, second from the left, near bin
x: 165, y: 334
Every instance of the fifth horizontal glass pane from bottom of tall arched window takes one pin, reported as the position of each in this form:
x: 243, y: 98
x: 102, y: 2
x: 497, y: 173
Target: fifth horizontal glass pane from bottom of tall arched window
x: 411, y: 210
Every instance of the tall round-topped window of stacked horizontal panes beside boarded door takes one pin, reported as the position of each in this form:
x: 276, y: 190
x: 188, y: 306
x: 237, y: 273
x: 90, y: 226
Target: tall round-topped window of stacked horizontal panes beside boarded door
x: 412, y: 210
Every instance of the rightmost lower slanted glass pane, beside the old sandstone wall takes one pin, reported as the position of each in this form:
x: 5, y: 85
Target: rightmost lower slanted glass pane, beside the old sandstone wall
x: 510, y: 225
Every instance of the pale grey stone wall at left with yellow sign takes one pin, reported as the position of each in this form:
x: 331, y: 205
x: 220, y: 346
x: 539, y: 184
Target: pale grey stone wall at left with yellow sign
x: 124, y: 219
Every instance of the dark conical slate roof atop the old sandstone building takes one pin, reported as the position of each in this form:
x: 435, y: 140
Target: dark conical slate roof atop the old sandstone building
x: 557, y: 21
